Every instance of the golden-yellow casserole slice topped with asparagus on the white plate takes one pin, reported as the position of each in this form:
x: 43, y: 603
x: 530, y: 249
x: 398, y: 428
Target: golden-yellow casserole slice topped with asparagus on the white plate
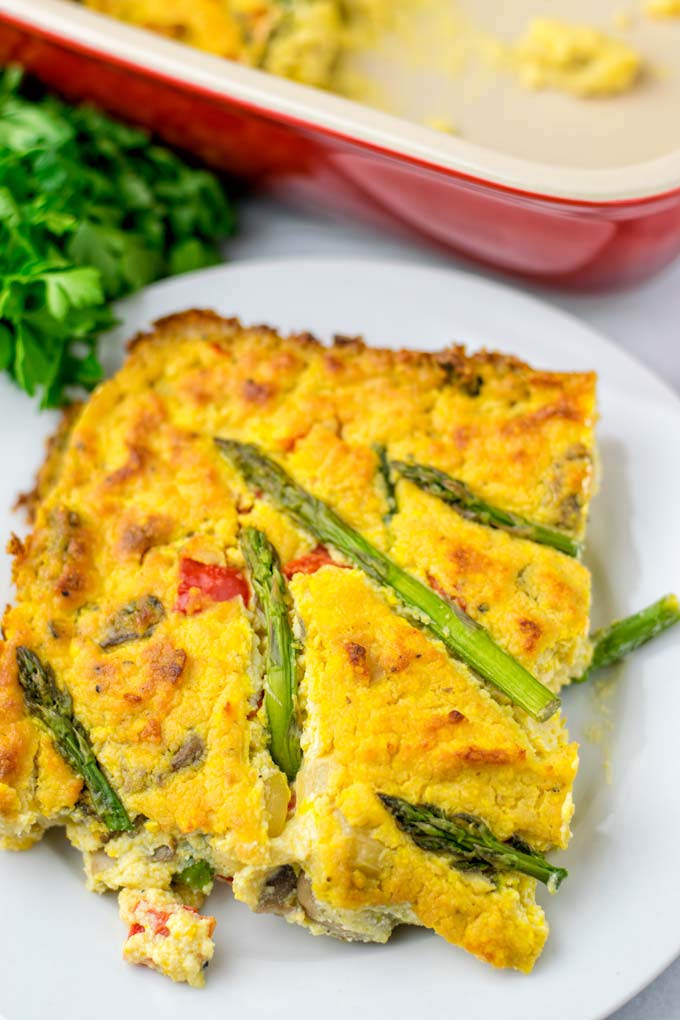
x: 203, y: 678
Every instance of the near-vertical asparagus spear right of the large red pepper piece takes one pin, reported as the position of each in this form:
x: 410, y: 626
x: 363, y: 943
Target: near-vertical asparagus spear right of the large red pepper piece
x: 281, y: 694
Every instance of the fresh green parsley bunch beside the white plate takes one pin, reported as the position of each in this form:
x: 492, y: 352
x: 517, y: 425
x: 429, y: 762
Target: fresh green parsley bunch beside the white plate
x: 90, y: 211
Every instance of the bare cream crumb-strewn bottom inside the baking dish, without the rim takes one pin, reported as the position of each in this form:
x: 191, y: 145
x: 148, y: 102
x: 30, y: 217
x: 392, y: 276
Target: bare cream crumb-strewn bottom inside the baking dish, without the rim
x: 488, y: 106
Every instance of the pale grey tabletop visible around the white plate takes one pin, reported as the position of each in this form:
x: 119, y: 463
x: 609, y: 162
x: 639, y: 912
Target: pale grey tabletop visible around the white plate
x: 645, y: 321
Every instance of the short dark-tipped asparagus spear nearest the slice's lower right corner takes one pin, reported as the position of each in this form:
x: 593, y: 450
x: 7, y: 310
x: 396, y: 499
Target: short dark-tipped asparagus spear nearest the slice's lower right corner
x: 469, y: 842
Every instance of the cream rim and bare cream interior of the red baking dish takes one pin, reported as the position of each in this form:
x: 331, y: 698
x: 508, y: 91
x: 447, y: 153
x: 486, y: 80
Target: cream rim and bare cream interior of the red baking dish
x: 604, y: 150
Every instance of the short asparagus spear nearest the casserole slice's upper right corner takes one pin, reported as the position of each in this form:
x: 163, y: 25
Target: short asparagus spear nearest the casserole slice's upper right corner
x: 457, y: 495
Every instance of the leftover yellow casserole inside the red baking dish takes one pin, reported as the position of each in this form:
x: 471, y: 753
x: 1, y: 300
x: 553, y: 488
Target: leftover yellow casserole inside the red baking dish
x: 305, y: 40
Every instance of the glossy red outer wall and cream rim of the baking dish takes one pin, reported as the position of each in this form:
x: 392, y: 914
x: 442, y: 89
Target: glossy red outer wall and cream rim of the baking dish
x: 588, y: 229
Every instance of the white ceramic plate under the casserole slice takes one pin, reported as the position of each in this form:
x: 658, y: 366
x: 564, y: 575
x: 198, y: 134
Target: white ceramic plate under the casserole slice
x: 615, y: 922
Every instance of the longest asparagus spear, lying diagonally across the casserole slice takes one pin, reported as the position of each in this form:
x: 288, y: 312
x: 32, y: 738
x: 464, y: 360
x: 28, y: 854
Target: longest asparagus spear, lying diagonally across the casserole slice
x: 462, y: 636
